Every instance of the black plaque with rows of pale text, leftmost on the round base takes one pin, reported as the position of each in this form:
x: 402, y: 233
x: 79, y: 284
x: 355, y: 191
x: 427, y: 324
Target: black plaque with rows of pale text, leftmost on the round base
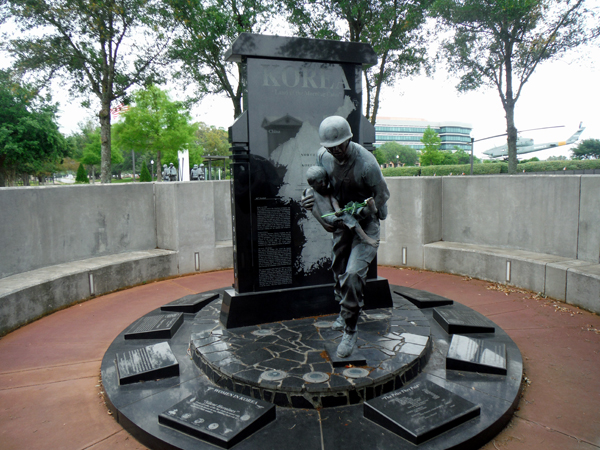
x: 146, y: 363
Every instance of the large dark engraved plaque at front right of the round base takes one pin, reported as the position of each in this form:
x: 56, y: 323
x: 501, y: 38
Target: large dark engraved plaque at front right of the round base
x: 420, y: 411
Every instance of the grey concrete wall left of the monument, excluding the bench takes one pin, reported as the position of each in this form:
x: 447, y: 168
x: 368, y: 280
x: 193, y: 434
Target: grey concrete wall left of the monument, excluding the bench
x: 49, y: 225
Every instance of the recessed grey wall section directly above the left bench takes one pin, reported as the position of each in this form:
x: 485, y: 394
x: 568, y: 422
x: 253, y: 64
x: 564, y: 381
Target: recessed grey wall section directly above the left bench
x: 43, y: 226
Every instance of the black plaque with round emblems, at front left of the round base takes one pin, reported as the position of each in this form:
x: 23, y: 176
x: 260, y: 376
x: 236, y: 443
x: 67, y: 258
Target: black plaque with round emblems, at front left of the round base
x: 218, y: 416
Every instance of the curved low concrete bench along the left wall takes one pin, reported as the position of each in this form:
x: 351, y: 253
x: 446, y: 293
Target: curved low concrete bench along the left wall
x: 27, y: 296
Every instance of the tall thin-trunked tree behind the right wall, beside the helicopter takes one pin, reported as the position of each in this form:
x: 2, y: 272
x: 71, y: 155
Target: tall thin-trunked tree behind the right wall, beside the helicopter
x: 501, y: 43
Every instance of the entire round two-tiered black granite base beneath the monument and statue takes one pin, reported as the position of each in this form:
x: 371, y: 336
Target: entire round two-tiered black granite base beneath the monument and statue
x: 318, y: 405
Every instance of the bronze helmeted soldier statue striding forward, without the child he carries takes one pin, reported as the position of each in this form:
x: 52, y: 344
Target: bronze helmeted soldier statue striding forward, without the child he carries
x: 354, y: 176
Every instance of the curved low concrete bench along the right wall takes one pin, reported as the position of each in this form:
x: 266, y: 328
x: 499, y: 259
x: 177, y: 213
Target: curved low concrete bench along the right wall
x: 575, y: 281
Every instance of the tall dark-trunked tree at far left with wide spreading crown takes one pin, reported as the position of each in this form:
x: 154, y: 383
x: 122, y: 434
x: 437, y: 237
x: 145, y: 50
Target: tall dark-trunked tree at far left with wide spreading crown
x: 103, y: 47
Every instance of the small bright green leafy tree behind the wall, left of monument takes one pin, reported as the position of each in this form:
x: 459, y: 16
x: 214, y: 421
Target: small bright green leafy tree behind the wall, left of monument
x: 155, y: 125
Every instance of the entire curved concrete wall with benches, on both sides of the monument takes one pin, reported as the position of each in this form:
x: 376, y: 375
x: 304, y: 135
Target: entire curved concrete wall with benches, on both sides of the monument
x: 537, y: 232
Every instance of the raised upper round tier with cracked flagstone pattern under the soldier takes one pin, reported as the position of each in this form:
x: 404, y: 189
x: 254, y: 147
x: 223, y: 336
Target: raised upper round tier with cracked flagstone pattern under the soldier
x: 287, y: 362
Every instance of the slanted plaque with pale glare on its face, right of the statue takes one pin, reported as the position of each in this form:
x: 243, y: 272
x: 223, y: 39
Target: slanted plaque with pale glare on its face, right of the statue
x: 476, y: 355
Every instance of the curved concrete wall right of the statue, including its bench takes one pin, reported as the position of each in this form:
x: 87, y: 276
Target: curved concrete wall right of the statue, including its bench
x: 537, y: 232
